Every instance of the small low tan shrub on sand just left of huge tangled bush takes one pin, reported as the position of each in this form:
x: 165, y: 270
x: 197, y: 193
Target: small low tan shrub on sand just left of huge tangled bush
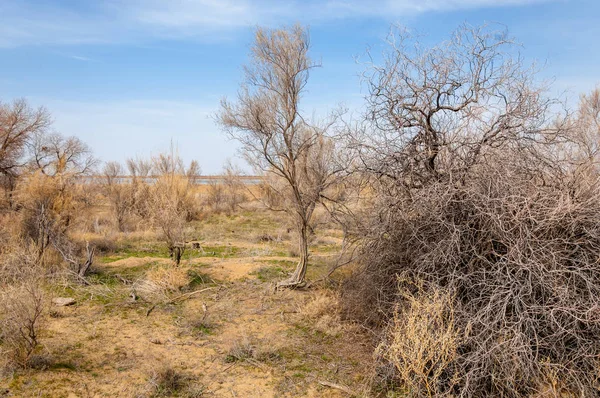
x: 322, y: 313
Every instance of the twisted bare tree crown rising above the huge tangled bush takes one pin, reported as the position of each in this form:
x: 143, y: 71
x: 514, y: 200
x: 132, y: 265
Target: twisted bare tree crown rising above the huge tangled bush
x: 435, y: 112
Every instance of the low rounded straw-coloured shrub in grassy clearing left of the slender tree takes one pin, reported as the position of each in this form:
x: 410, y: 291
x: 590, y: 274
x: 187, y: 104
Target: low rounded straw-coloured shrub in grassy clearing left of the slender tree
x: 160, y: 282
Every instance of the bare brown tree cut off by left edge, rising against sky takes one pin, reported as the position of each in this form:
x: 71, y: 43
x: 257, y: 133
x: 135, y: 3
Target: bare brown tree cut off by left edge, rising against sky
x: 19, y: 123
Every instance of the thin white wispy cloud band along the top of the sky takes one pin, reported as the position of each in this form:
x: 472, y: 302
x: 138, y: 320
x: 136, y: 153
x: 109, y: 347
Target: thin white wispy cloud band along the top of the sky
x: 31, y: 22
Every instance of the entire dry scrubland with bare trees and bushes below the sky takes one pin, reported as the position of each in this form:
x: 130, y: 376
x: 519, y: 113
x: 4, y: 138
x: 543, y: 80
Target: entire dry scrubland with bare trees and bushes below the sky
x: 445, y: 244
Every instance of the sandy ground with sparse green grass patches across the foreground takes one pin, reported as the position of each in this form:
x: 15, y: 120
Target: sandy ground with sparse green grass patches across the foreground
x: 107, y: 346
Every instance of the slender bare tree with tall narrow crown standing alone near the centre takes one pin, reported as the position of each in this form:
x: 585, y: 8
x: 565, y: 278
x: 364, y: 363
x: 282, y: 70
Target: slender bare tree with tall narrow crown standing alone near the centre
x: 275, y: 138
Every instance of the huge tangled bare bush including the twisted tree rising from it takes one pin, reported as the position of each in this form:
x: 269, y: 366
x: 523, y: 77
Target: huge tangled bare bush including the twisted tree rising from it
x: 475, y: 195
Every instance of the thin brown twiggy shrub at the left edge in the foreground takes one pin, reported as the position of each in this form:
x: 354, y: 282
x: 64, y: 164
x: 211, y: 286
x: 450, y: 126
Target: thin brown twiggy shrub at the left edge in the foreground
x: 22, y: 311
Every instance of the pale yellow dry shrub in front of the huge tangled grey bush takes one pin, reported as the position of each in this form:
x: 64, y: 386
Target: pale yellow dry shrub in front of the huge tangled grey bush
x: 421, y: 343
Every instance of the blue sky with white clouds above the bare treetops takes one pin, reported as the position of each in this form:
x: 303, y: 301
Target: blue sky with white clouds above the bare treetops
x: 129, y: 76
